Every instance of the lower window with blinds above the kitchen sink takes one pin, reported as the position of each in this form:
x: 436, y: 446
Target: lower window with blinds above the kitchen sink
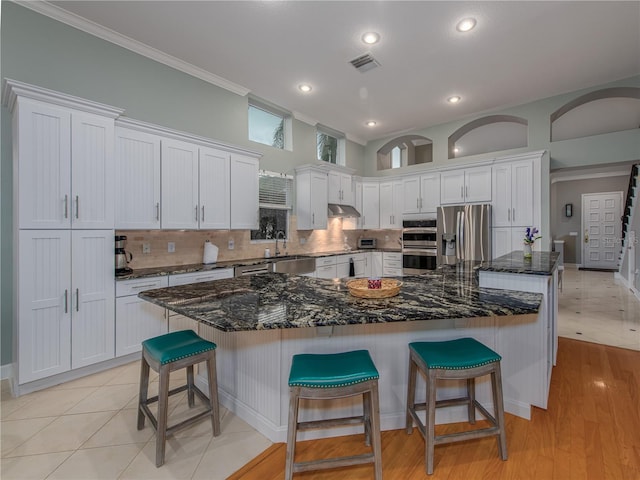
x: 275, y: 206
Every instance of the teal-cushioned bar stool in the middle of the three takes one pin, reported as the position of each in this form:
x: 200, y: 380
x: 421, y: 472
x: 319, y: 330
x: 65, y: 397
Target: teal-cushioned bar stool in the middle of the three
x: 333, y: 376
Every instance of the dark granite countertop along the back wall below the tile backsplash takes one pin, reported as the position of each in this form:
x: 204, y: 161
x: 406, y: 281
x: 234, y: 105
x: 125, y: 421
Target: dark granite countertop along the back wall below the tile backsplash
x: 201, y: 267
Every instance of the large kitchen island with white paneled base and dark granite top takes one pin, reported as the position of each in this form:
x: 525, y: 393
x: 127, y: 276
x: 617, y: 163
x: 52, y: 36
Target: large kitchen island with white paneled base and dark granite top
x: 260, y: 322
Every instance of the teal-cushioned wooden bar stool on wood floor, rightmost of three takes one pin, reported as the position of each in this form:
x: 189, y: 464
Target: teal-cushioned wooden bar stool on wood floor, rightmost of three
x: 464, y: 358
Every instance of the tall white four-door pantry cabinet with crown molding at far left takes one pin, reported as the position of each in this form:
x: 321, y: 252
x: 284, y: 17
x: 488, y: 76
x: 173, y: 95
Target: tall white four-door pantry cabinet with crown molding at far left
x: 63, y: 231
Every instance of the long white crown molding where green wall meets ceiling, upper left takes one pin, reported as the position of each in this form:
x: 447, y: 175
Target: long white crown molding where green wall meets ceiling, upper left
x: 92, y: 28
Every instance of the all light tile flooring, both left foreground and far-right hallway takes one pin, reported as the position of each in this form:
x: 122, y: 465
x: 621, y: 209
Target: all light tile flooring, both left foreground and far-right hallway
x: 86, y: 429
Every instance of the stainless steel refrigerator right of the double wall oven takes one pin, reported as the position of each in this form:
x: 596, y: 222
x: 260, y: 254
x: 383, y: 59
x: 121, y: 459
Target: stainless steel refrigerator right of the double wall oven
x: 463, y: 234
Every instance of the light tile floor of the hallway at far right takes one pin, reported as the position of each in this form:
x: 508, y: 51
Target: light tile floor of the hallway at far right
x: 595, y: 307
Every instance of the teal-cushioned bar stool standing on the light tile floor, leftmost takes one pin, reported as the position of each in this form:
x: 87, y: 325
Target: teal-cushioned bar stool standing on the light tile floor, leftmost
x: 165, y: 354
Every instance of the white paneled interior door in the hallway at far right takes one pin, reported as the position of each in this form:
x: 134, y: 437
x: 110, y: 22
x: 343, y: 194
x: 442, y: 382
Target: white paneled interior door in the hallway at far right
x: 601, y: 229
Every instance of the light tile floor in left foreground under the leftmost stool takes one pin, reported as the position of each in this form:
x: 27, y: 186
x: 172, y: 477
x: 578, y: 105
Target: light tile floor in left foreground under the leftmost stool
x: 86, y: 429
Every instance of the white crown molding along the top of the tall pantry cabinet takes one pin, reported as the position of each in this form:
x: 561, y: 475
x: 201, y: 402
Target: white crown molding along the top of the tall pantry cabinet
x: 12, y: 89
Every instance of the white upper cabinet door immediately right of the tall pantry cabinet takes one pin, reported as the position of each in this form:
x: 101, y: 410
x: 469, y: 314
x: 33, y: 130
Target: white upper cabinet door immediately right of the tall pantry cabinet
x: 137, y: 184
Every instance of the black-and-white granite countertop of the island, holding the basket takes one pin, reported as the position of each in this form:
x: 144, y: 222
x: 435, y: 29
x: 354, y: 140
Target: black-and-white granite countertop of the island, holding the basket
x: 276, y: 301
